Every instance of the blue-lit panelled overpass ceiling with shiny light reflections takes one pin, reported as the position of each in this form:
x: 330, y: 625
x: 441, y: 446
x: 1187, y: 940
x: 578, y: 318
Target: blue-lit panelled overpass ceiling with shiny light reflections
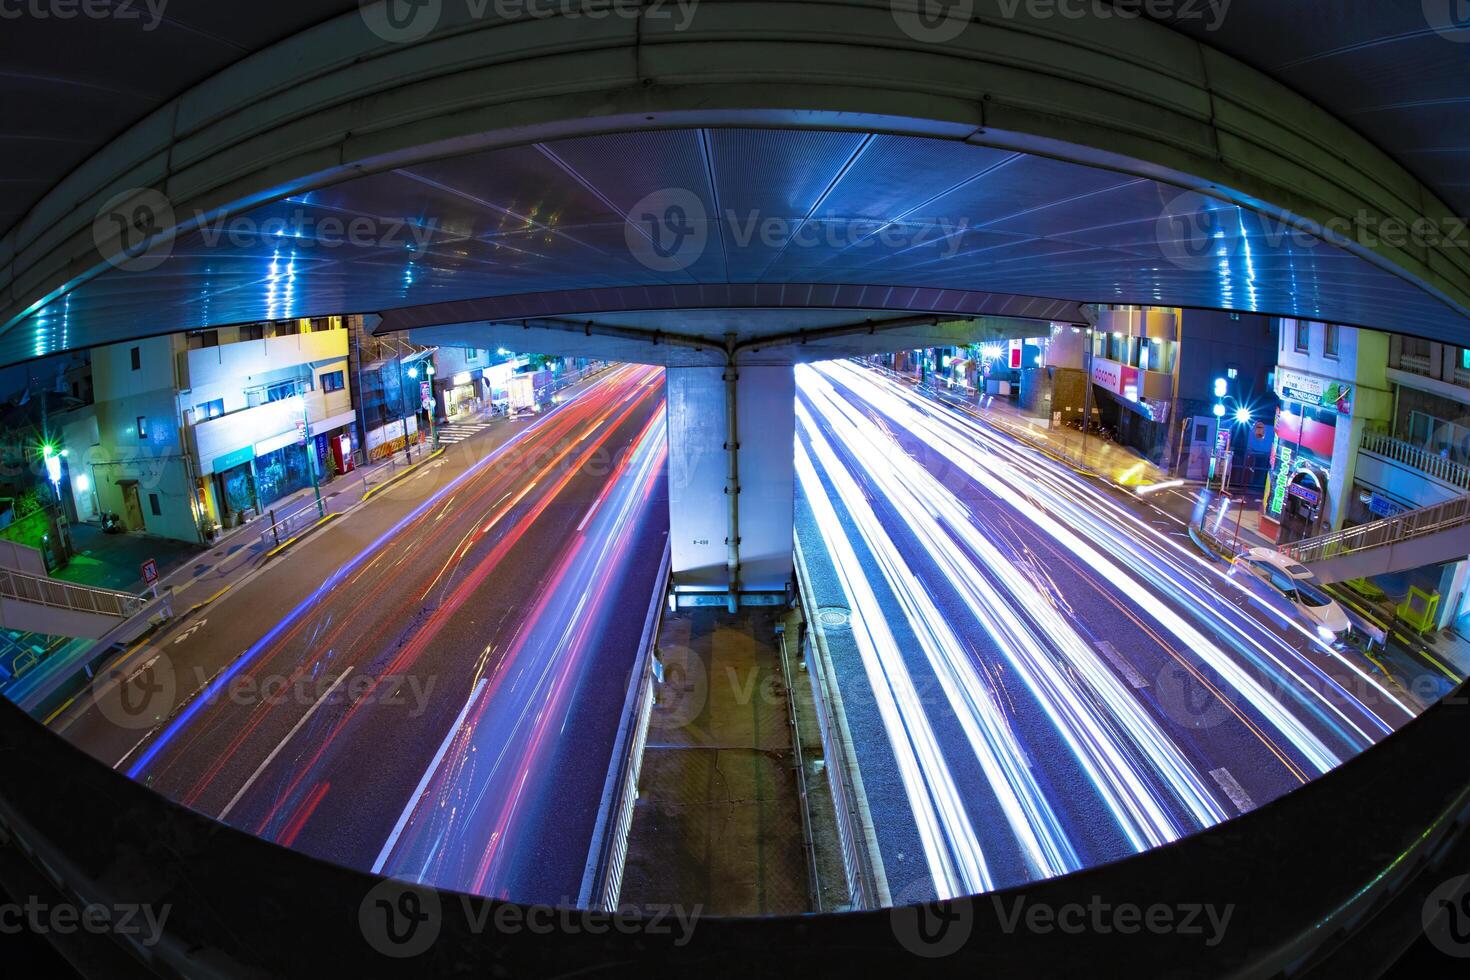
x: 762, y: 206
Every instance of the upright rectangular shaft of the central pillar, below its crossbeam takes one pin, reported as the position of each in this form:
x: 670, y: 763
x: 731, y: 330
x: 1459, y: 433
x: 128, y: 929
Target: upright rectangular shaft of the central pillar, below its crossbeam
x: 720, y: 549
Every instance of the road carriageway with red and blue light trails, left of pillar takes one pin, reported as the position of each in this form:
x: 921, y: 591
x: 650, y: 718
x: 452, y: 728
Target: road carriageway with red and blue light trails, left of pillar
x: 429, y: 688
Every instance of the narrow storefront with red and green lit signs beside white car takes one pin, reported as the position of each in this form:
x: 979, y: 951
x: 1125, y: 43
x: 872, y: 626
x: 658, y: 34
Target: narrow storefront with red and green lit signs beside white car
x: 1299, y: 497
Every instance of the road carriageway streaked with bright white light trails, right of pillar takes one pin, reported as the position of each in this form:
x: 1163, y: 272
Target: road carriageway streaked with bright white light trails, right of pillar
x: 1037, y: 680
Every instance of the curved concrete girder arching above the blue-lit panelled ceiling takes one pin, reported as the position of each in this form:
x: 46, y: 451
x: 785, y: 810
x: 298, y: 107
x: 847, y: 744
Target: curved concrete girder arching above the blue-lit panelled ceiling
x: 346, y: 99
